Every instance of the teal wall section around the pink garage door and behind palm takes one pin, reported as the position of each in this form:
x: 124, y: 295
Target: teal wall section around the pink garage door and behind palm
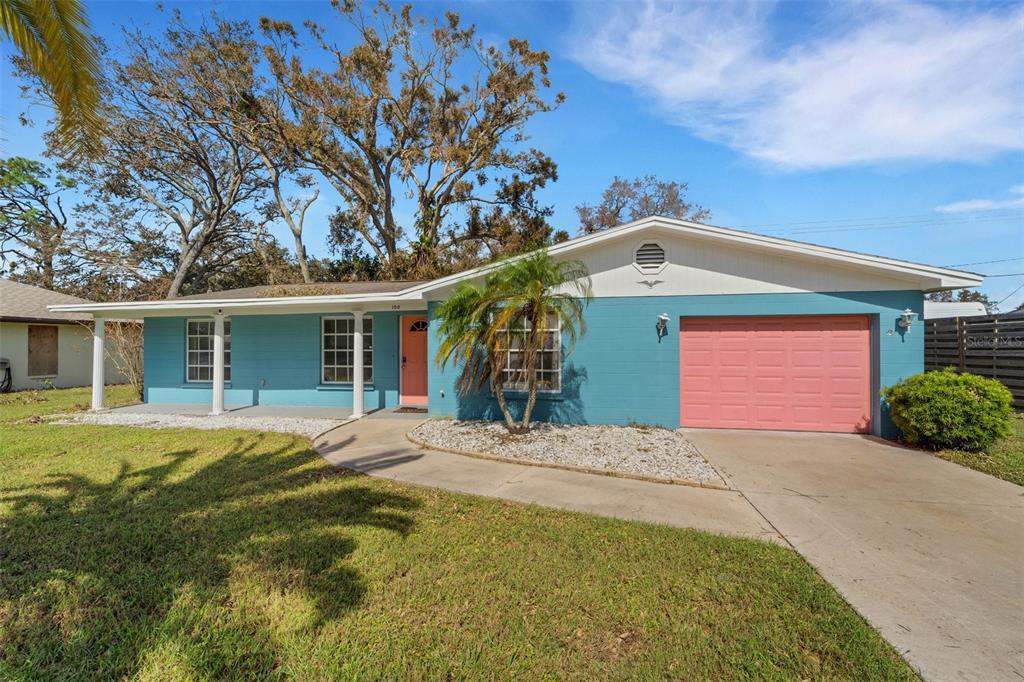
x: 622, y: 372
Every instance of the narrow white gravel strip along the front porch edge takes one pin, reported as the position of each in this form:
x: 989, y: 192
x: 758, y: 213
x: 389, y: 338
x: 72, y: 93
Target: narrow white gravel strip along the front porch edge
x: 309, y: 428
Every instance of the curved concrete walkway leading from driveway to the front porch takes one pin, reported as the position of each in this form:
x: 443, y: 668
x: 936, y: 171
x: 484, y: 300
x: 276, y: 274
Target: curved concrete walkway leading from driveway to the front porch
x: 378, y: 447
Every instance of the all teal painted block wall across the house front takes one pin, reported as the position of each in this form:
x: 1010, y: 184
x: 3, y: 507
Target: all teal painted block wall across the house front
x: 620, y: 372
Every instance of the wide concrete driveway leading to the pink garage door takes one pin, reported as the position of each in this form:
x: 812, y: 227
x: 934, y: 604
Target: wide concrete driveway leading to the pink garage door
x: 931, y: 553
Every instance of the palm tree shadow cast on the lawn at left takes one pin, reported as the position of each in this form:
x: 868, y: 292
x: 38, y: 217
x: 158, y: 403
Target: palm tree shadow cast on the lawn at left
x: 96, y: 576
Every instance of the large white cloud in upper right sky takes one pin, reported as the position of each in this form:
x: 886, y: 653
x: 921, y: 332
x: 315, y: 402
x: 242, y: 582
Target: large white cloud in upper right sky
x: 885, y: 83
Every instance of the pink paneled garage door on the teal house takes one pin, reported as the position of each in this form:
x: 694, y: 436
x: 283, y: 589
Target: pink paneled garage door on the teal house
x: 802, y: 373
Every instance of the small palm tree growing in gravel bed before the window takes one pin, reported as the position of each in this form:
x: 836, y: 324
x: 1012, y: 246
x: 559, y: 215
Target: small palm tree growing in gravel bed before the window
x: 517, y: 308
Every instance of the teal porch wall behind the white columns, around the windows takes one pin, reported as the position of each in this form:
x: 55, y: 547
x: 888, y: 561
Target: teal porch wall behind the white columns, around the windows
x: 276, y: 360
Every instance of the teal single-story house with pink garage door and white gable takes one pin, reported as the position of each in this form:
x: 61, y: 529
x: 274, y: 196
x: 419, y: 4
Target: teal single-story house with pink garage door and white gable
x: 759, y: 333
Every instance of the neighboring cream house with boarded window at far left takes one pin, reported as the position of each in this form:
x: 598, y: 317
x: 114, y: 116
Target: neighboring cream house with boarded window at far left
x: 45, y: 348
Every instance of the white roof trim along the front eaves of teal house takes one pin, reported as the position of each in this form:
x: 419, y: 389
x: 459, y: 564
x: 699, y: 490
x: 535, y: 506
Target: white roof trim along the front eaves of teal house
x: 937, y: 278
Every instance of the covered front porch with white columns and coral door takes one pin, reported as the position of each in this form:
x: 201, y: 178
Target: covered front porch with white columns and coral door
x: 318, y: 357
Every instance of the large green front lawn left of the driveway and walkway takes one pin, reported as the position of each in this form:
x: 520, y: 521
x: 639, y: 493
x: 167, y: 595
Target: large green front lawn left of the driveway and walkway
x: 179, y: 555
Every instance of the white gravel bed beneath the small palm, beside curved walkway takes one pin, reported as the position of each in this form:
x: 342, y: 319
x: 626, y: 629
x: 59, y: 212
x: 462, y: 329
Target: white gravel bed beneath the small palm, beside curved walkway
x: 646, y: 451
